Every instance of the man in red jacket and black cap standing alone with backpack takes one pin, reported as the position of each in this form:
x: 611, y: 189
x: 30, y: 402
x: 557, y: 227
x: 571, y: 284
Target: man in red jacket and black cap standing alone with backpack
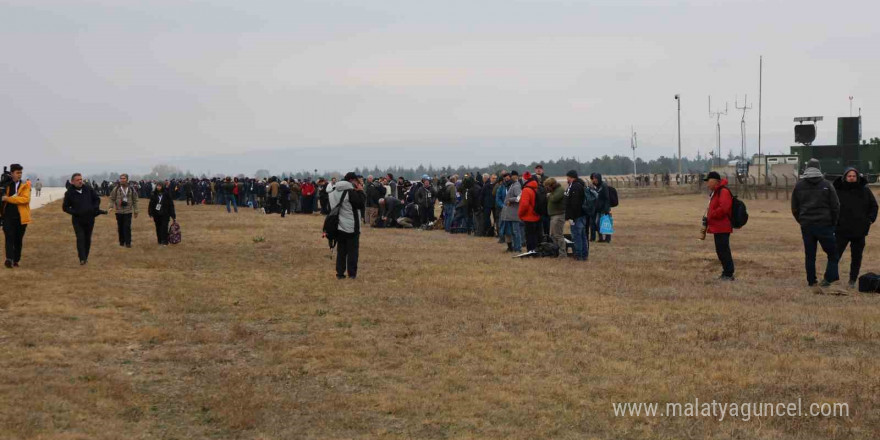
x: 717, y: 221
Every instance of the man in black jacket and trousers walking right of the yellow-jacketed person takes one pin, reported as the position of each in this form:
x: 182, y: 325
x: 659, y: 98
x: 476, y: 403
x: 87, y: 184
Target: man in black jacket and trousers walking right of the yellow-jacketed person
x: 83, y: 205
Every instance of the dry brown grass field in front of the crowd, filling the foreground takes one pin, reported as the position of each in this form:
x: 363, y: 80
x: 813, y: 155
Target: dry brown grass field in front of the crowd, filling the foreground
x: 441, y: 336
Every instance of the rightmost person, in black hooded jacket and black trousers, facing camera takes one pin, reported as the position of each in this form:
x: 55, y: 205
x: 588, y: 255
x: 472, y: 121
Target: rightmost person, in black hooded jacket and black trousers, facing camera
x: 858, y: 211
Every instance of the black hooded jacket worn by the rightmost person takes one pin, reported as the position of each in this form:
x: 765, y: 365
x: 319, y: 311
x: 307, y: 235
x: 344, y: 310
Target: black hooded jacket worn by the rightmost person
x: 858, y: 206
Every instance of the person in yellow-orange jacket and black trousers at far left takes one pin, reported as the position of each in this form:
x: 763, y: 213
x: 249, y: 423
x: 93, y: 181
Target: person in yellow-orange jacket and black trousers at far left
x: 16, y: 215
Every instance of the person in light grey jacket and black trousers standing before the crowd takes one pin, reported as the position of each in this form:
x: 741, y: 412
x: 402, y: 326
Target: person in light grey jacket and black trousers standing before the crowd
x: 348, y: 237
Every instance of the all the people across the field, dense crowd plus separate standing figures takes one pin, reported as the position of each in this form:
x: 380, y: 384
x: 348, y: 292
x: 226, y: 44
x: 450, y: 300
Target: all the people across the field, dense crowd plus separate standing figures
x: 528, y: 210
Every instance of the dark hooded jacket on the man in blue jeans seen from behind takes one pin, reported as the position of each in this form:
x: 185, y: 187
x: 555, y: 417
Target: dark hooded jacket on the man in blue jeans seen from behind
x: 814, y: 201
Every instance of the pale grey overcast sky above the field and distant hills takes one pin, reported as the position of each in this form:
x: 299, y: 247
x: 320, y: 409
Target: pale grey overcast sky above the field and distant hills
x: 109, y: 81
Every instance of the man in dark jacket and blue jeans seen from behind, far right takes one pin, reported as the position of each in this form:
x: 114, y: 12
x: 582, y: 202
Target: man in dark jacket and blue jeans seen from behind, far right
x: 815, y: 206
